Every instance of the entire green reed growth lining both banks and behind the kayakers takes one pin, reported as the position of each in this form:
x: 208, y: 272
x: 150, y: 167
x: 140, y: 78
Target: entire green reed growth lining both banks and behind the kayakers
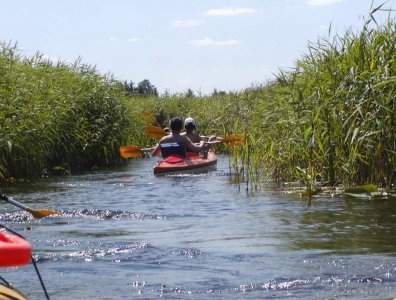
x: 331, y: 118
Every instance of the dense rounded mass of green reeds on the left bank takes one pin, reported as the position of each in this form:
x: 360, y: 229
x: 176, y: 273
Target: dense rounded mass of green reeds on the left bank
x: 56, y: 116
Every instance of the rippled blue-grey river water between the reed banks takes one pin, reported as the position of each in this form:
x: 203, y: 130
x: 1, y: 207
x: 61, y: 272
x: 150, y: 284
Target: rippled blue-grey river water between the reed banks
x: 126, y: 234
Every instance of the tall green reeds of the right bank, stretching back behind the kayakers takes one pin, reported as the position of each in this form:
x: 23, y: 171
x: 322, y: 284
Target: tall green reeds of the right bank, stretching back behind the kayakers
x: 330, y: 120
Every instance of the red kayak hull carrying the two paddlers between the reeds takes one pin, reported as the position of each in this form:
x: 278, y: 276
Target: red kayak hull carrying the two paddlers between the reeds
x: 191, y: 163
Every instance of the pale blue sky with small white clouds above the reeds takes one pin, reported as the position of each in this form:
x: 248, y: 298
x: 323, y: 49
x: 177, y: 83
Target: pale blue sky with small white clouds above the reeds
x: 179, y: 44
